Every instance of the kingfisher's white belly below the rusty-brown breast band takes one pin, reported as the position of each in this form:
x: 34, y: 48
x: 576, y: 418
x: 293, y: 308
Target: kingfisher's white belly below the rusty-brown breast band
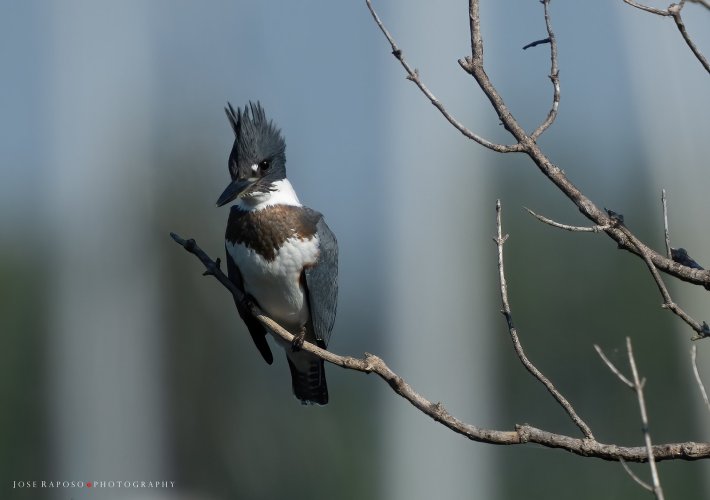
x: 276, y: 284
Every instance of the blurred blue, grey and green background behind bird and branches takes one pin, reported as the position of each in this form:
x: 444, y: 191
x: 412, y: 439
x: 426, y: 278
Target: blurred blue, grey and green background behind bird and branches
x: 120, y: 362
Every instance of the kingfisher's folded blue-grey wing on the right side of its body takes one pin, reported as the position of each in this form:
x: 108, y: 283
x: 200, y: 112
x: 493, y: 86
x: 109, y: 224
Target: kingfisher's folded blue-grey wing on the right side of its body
x: 322, y: 283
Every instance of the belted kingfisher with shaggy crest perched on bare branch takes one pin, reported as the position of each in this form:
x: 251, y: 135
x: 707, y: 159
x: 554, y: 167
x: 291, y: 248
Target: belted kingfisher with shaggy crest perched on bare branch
x: 280, y: 253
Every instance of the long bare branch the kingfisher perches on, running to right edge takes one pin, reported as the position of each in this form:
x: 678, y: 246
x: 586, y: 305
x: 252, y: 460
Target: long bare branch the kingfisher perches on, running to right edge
x: 522, y: 433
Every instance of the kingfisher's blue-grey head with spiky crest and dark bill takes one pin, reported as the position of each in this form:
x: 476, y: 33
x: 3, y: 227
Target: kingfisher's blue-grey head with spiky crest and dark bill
x: 258, y: 157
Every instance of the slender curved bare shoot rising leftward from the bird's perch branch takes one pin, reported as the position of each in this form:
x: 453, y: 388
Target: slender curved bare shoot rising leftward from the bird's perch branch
x: 500, y: 240
